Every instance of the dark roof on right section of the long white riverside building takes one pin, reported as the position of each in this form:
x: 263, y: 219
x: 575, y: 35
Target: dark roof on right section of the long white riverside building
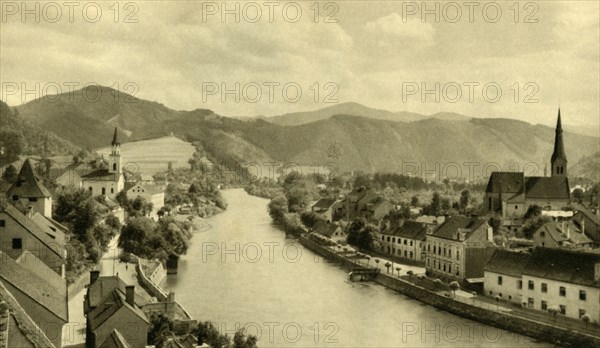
x: 563, y: 265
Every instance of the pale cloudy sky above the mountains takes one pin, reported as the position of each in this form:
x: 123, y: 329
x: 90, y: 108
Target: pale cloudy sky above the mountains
x: 490, y: 59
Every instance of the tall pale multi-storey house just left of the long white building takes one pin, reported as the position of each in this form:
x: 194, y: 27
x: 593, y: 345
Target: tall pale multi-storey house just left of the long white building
x: 459, y: 248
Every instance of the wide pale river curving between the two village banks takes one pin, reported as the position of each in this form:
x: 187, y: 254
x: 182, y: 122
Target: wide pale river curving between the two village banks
x: 244, y: 273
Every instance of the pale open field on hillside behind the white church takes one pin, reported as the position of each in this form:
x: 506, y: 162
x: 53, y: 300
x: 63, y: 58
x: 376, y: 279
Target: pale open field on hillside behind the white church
x: 153, y: 156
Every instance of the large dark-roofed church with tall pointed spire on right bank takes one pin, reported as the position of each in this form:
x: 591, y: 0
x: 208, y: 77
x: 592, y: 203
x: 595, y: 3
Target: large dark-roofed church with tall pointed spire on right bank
x: 511, y: 193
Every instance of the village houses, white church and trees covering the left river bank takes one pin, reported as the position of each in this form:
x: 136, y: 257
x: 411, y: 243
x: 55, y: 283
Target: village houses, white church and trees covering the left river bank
x: 43, y: 258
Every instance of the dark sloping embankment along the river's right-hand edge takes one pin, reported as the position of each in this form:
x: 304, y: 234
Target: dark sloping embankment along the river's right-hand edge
x: 535, y: 329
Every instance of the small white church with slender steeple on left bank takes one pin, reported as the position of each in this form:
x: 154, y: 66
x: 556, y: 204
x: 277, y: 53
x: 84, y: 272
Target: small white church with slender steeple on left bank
x: 107, y: 181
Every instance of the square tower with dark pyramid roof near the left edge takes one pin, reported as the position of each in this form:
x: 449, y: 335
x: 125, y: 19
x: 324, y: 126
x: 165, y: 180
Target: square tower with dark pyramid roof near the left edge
x: 28, y: 192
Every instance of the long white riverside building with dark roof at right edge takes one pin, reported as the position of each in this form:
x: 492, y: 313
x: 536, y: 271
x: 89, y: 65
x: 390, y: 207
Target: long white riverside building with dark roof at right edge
x: 548, y: 277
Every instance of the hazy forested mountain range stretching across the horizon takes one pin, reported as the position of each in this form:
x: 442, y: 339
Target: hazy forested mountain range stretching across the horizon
x: 352, y: 136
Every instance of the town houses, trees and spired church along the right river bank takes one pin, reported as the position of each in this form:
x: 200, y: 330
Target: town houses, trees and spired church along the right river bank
x: 530, y: 242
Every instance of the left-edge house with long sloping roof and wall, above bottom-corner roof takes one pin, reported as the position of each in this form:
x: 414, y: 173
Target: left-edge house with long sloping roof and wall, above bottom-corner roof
x: 41, y: 294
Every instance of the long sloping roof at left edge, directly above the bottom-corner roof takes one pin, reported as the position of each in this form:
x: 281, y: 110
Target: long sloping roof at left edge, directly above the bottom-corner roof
x: 40, y: 290
